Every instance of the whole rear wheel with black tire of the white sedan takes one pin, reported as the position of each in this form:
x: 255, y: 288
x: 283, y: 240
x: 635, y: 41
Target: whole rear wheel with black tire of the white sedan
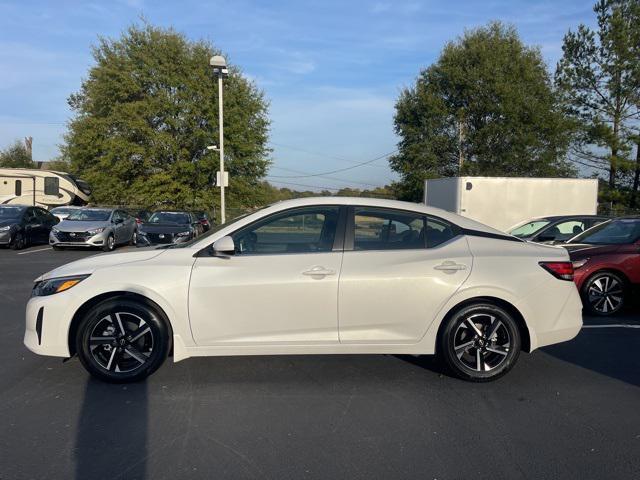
x: 472, y: 353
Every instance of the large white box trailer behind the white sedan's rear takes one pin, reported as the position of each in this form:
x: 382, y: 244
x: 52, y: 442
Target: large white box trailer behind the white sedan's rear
x: 503, y: 202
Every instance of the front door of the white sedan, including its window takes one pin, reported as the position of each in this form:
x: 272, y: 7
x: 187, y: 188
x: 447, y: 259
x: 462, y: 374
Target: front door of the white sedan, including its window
x: 281, y: 285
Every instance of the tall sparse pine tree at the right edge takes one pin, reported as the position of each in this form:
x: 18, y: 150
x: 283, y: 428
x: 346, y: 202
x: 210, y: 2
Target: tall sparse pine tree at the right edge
x: 599, y: 82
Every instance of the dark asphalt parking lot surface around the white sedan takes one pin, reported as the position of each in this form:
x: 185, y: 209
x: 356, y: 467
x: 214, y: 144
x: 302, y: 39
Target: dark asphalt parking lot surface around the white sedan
x: 567, y: 411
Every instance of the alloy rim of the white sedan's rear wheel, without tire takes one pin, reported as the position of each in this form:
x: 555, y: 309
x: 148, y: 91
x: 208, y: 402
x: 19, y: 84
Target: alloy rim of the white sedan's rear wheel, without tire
x: 481, y: 342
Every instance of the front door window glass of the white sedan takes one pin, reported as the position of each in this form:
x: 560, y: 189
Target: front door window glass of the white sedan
x: 304, y: 230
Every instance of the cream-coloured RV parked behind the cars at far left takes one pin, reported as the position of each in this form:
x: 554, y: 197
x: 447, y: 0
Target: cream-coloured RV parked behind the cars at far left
x: 42, y: 188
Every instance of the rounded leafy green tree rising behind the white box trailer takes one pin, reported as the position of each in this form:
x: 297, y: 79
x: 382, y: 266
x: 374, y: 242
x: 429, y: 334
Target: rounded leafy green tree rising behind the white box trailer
x: 485, y: 107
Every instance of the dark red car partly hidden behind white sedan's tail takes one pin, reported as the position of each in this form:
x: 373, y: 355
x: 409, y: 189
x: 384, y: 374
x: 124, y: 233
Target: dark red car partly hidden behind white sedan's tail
x: 606, y: 260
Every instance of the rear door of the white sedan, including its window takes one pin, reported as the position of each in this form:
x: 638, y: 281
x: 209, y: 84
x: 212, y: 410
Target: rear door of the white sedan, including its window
x: 399, y: 269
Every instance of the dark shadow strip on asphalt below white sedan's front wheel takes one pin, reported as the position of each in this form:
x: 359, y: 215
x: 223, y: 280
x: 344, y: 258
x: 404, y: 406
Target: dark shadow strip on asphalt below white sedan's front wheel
x: 111, y: 441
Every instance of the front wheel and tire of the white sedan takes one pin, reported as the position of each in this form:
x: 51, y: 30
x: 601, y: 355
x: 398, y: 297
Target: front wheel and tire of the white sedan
x: 108, y: 354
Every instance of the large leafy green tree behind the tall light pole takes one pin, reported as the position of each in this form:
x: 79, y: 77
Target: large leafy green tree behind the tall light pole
x: 145, y: 115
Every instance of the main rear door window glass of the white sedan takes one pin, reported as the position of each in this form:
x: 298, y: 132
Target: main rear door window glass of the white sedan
x: 384, y: 229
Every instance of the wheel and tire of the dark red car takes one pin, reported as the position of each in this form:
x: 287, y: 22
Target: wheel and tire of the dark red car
x: 604, y: 293
